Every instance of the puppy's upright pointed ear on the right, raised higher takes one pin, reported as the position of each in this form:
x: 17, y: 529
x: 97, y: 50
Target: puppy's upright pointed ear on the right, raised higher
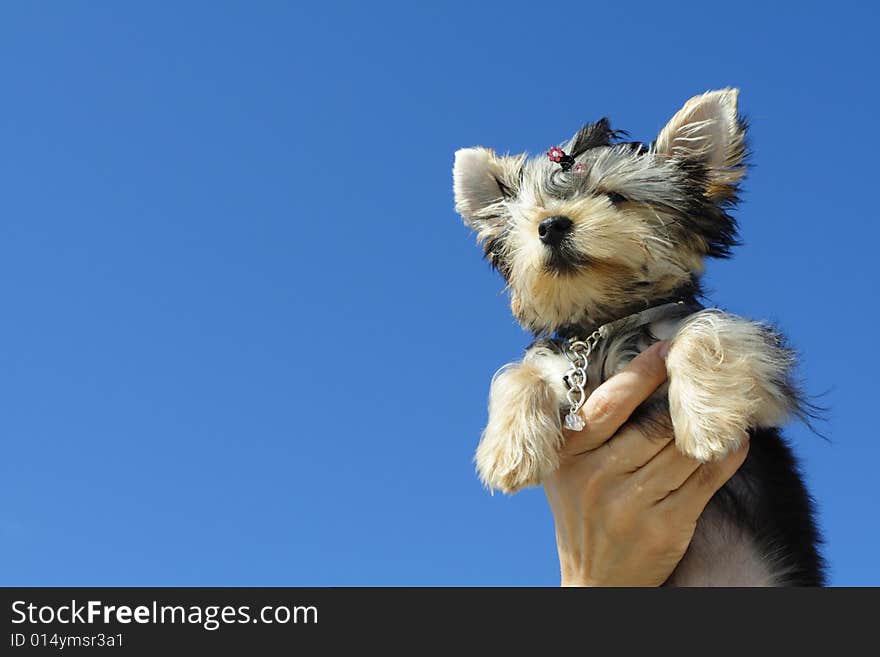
x: 709, y: 132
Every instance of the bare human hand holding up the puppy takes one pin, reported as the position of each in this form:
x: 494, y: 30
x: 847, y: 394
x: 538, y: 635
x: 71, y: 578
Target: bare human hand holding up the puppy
x: 625, y: 503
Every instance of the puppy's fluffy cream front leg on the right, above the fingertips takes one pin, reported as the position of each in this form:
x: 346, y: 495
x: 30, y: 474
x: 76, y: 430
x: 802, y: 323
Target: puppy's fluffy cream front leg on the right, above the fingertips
x: 726, y: 375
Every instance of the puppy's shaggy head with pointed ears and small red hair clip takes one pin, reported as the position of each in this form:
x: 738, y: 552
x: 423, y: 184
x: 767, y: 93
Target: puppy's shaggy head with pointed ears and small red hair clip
x: 599, y: 225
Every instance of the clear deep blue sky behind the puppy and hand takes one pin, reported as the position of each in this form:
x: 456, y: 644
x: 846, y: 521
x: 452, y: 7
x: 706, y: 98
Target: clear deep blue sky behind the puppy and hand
x: 247, y: 341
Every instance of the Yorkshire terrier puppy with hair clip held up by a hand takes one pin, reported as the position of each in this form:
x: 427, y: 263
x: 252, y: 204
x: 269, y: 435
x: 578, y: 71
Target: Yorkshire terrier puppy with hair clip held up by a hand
x: 602, y: 244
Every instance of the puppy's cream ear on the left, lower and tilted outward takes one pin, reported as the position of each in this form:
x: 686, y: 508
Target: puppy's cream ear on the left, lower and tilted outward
x: 482, y: 180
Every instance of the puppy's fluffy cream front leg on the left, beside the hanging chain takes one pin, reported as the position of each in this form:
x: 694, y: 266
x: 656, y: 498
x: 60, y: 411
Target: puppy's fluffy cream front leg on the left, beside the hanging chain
x: 520, y: 444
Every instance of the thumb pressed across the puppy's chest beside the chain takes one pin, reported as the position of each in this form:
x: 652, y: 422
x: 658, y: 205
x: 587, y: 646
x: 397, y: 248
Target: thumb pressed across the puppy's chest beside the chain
x: 609, y: 406
